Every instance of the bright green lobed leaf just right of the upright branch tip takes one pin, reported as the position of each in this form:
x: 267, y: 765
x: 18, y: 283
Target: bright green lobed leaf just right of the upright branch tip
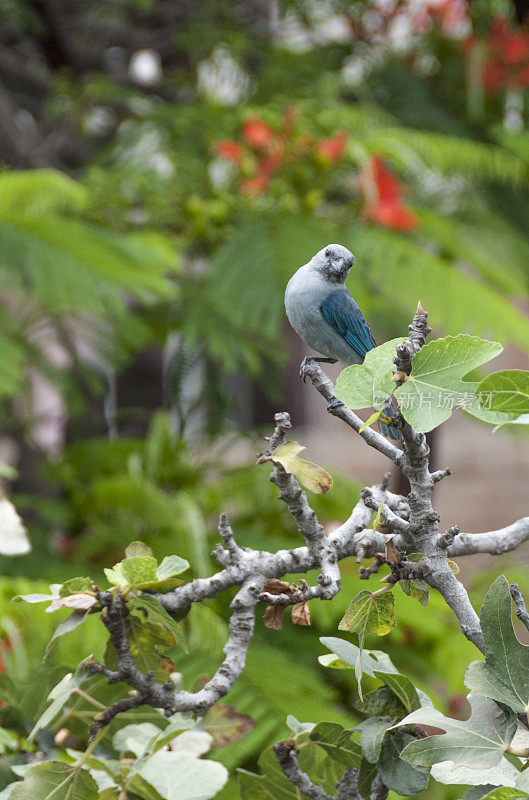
x: 435, y: 385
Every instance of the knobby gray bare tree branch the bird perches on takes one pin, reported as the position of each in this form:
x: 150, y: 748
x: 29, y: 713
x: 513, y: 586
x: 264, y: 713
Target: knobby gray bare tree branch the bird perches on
x: 411, y: 521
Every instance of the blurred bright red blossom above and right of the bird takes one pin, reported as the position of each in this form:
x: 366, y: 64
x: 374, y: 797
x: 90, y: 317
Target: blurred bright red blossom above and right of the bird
x: 382, y: 196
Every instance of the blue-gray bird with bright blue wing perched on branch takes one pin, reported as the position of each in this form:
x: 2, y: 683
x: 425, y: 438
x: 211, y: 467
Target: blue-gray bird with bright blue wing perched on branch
x: 324, y: 315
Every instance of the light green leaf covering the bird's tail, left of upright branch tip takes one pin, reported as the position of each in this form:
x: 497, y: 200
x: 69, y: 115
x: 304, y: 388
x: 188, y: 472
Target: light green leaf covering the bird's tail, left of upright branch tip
x: 369, y: 384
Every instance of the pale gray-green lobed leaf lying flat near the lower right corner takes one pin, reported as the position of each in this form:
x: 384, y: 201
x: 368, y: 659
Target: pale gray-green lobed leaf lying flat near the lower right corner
x: 477, y: 742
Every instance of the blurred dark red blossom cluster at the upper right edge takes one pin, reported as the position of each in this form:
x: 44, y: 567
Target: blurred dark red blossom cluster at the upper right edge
x: 505, y: 56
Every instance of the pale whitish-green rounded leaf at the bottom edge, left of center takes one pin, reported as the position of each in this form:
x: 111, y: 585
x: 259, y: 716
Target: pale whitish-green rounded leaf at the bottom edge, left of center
x: 177, y: 775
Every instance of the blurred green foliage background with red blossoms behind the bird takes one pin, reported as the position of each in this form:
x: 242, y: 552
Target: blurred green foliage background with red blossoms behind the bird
x: 166, y: 166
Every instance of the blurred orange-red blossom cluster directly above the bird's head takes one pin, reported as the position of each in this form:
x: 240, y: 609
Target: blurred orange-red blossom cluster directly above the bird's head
x: 264, y: 150
